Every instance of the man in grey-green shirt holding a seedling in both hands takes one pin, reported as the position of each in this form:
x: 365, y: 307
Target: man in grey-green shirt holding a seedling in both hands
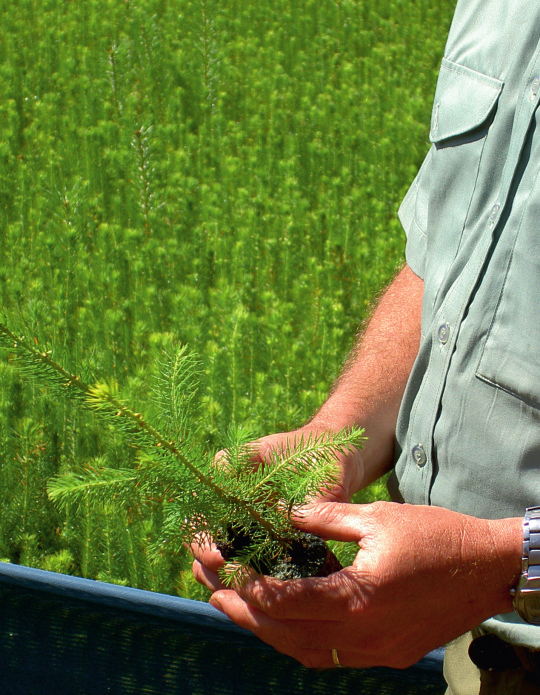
x: 446, y: 382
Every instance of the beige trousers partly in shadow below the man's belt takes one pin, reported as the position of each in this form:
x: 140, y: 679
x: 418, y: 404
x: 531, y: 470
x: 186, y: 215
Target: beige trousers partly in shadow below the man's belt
x: 463, y: 678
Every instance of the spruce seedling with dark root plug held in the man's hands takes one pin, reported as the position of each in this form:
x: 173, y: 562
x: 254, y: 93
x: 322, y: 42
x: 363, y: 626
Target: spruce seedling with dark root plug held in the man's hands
x: 248, y: 509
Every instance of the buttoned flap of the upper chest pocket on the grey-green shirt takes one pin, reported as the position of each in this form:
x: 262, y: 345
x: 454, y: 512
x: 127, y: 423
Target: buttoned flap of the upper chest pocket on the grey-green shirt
x: 464, y: 99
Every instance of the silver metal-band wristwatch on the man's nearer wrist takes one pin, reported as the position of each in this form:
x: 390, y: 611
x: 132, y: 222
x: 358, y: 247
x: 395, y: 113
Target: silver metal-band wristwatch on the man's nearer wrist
x: 526, y: 594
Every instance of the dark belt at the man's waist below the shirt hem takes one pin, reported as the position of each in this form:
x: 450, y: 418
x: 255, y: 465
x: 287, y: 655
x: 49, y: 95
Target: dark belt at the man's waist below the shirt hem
x: 490, y: 653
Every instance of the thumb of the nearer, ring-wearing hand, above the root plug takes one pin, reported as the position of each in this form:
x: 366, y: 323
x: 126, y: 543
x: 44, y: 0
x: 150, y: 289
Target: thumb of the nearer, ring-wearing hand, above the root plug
x: 332, y: 521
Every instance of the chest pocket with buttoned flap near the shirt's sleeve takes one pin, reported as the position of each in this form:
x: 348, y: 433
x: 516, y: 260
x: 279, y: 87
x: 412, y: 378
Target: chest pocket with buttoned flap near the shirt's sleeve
x: 464, y: 108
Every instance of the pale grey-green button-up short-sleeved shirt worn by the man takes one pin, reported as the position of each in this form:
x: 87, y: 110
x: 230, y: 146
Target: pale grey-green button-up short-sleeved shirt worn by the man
x: 468, y: 434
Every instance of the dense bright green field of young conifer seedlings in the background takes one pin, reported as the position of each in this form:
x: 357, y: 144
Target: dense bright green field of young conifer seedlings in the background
x: 223, y: 174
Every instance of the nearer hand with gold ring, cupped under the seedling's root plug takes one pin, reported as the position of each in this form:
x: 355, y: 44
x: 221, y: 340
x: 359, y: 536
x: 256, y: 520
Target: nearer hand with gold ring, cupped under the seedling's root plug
x: 423, y: 576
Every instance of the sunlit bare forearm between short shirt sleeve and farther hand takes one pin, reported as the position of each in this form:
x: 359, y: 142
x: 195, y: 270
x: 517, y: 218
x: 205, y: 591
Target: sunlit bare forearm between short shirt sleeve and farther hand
x: 369, y: 391
